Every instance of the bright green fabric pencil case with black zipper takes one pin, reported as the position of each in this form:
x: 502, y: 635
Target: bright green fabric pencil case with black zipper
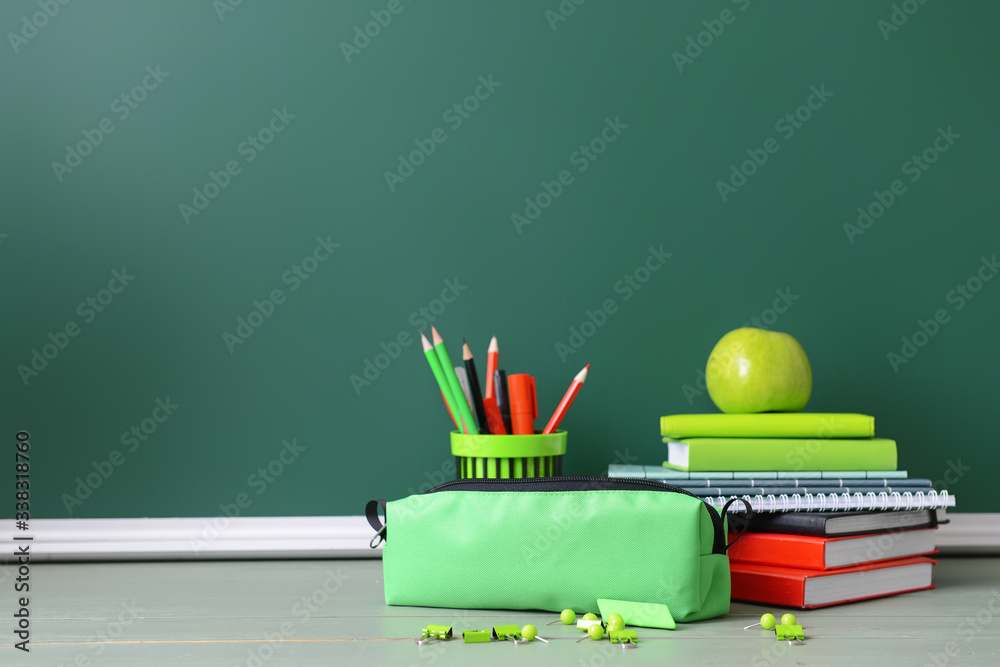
x: 554, y: 543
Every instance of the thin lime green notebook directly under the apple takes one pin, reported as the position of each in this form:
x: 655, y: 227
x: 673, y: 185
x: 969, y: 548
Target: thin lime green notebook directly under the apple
x: 769, y: 425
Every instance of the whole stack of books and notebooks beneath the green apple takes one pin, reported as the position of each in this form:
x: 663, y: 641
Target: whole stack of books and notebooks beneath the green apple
x: 834, y: 521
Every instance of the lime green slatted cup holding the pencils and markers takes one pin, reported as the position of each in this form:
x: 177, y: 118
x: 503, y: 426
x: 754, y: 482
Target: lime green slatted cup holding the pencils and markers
x: 508, y: 456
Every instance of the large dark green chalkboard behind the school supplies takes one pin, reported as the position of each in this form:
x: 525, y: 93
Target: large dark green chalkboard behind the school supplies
x: 118, y: 115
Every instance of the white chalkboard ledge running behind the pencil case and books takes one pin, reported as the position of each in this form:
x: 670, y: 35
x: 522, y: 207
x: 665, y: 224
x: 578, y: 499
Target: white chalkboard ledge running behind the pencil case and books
x: 302, y: 537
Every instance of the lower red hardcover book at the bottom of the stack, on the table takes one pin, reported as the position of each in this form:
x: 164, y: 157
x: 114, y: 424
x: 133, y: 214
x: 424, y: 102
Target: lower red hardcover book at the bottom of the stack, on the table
x: 806, y: 589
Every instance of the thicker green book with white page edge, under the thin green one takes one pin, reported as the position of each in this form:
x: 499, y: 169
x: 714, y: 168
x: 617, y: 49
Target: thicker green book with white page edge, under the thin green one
x: 782, y: 454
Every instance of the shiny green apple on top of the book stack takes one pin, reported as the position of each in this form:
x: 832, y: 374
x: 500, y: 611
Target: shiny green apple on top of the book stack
x: 755, y: 370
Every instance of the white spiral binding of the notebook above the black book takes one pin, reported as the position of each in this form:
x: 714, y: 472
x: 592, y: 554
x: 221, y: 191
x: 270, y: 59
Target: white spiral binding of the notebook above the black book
x: 839, y: 502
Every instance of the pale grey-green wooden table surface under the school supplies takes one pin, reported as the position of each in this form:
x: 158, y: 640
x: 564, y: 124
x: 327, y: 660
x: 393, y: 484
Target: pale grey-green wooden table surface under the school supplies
x: 332, y: 612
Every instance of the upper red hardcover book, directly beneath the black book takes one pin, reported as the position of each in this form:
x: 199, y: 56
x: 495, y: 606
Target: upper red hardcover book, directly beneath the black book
x: 823, y: 553
